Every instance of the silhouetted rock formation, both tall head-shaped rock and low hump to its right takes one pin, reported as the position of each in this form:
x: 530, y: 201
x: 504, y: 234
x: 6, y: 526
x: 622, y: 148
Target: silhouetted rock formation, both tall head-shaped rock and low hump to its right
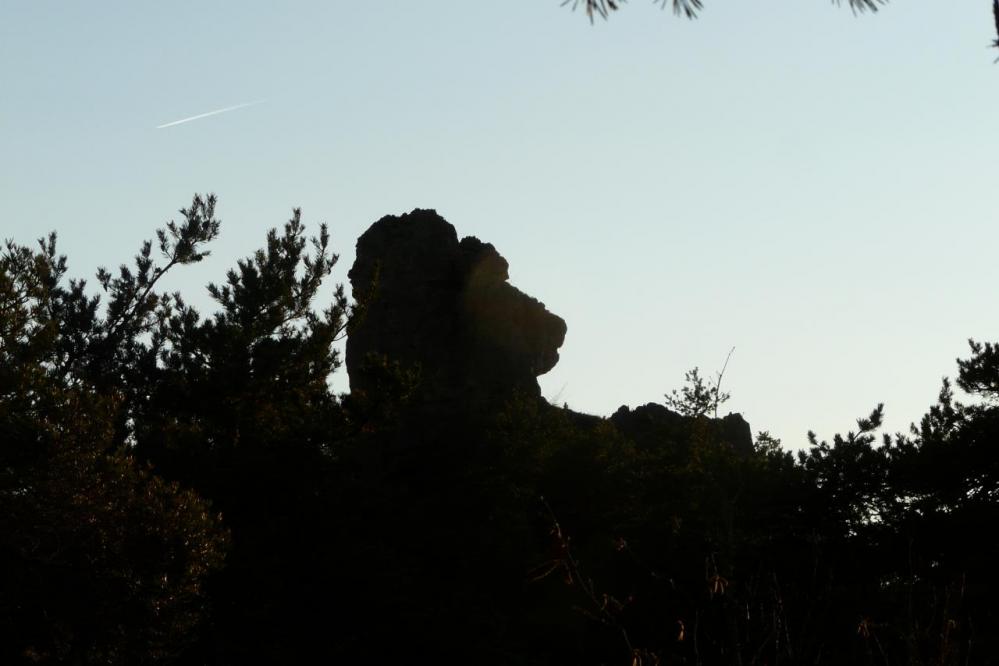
x: 443, y: 309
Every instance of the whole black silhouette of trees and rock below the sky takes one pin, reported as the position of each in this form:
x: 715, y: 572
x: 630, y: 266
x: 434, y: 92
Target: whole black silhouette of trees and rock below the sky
x: 186, y: 488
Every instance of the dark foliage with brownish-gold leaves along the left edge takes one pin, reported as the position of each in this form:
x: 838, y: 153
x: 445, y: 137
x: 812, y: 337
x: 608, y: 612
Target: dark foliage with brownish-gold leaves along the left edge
x: 100, y: 561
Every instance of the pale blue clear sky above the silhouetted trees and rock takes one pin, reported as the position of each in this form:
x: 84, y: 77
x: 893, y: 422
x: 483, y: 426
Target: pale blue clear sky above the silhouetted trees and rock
x: 812, y: 187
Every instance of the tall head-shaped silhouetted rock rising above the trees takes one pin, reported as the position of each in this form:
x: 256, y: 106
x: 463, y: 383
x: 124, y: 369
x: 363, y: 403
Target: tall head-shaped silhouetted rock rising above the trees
x: 445, y: 308
